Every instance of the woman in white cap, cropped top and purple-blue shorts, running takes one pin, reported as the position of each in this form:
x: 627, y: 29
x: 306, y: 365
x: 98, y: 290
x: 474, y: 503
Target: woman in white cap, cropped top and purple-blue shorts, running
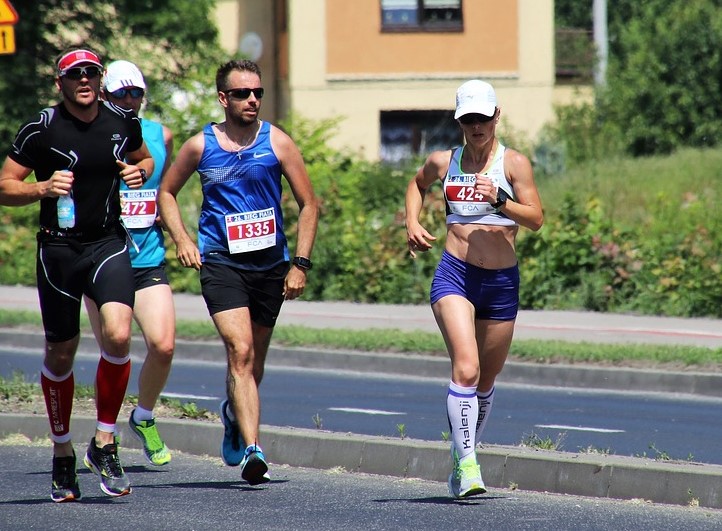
x: 489, y: 191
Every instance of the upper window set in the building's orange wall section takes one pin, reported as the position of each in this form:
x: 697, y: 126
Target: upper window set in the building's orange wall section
x: 421, y: 15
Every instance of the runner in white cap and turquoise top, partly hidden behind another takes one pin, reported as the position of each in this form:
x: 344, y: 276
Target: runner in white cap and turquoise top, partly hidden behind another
x: 154, y: 311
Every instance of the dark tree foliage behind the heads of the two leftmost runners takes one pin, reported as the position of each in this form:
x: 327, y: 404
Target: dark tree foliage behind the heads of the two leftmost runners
x: 168, y: 39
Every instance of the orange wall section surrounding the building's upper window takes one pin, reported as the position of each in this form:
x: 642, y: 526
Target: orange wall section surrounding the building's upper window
x: 356, y: 45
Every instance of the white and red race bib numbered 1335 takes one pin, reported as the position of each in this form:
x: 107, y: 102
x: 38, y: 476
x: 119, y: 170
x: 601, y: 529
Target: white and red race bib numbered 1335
x: 251, y: 231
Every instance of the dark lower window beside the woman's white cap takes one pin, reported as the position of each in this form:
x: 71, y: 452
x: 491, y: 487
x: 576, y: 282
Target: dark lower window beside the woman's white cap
x: 405, y: 134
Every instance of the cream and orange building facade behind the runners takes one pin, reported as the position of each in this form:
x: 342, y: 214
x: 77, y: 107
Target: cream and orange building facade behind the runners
x: 390, y: 68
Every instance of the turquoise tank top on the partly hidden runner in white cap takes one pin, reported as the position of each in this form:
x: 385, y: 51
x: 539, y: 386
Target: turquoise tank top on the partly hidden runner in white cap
x: 139, y: 208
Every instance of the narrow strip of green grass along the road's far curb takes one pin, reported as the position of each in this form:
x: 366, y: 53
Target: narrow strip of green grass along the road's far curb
x: 431, y: 343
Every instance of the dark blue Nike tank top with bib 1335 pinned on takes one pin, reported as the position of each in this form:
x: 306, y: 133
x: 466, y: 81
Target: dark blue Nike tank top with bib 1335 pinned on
x: 241, y: 221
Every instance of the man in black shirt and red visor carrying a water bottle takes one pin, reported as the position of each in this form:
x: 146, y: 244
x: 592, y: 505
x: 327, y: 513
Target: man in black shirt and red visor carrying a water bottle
x: 78, y: 146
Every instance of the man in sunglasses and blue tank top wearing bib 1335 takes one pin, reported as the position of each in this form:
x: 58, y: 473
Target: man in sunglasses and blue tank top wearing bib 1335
x: 242, y: 253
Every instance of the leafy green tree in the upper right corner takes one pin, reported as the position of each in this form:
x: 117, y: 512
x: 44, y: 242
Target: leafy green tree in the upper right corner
x: 665, y: 77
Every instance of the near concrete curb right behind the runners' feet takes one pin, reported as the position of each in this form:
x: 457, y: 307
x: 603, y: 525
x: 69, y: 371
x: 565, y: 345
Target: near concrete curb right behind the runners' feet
x: 591, y: 475
